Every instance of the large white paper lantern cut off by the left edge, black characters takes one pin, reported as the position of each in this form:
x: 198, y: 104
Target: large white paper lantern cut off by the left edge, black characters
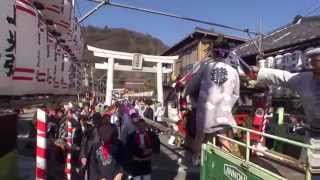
x: 7, y: 48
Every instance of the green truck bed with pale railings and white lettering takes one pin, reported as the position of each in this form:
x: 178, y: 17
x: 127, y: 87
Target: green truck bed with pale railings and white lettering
x: 217, y: 164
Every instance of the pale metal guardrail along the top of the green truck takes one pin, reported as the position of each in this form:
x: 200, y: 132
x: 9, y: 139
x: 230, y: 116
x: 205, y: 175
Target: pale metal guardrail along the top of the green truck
x: 305, y: 167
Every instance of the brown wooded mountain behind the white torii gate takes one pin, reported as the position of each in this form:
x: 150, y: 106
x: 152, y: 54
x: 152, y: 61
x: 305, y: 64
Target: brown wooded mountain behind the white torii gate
x: 120, y: 39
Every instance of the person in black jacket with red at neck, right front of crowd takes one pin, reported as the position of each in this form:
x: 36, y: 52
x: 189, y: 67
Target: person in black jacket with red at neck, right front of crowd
x: 142, y: 144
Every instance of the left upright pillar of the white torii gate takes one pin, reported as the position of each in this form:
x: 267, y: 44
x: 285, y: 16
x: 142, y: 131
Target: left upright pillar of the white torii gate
x: 109, y: 85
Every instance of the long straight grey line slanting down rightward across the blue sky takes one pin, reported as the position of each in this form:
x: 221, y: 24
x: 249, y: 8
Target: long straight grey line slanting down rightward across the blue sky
x: 173, y: 16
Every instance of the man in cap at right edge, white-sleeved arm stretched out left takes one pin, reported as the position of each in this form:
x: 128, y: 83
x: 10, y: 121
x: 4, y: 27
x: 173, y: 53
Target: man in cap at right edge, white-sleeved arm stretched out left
x: 307, y: 85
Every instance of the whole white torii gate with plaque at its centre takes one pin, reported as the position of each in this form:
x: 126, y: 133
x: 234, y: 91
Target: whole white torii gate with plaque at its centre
x: 137, y: 60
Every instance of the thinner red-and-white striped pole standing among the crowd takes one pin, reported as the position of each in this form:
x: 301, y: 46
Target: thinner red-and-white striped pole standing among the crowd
x: 69, y: 144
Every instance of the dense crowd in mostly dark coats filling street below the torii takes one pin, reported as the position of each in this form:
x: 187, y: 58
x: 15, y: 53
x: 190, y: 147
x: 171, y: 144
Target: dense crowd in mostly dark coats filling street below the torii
x: 108, y: 142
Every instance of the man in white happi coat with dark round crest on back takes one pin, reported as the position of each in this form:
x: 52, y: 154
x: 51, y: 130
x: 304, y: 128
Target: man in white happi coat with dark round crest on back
x: 218, y: 85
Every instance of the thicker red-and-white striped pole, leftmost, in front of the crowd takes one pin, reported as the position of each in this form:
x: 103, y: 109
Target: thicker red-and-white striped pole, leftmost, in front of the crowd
x: 41, y: 145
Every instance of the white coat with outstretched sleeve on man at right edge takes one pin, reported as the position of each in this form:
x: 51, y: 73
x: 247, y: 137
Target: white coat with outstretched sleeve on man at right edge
x: 305, y: 84
